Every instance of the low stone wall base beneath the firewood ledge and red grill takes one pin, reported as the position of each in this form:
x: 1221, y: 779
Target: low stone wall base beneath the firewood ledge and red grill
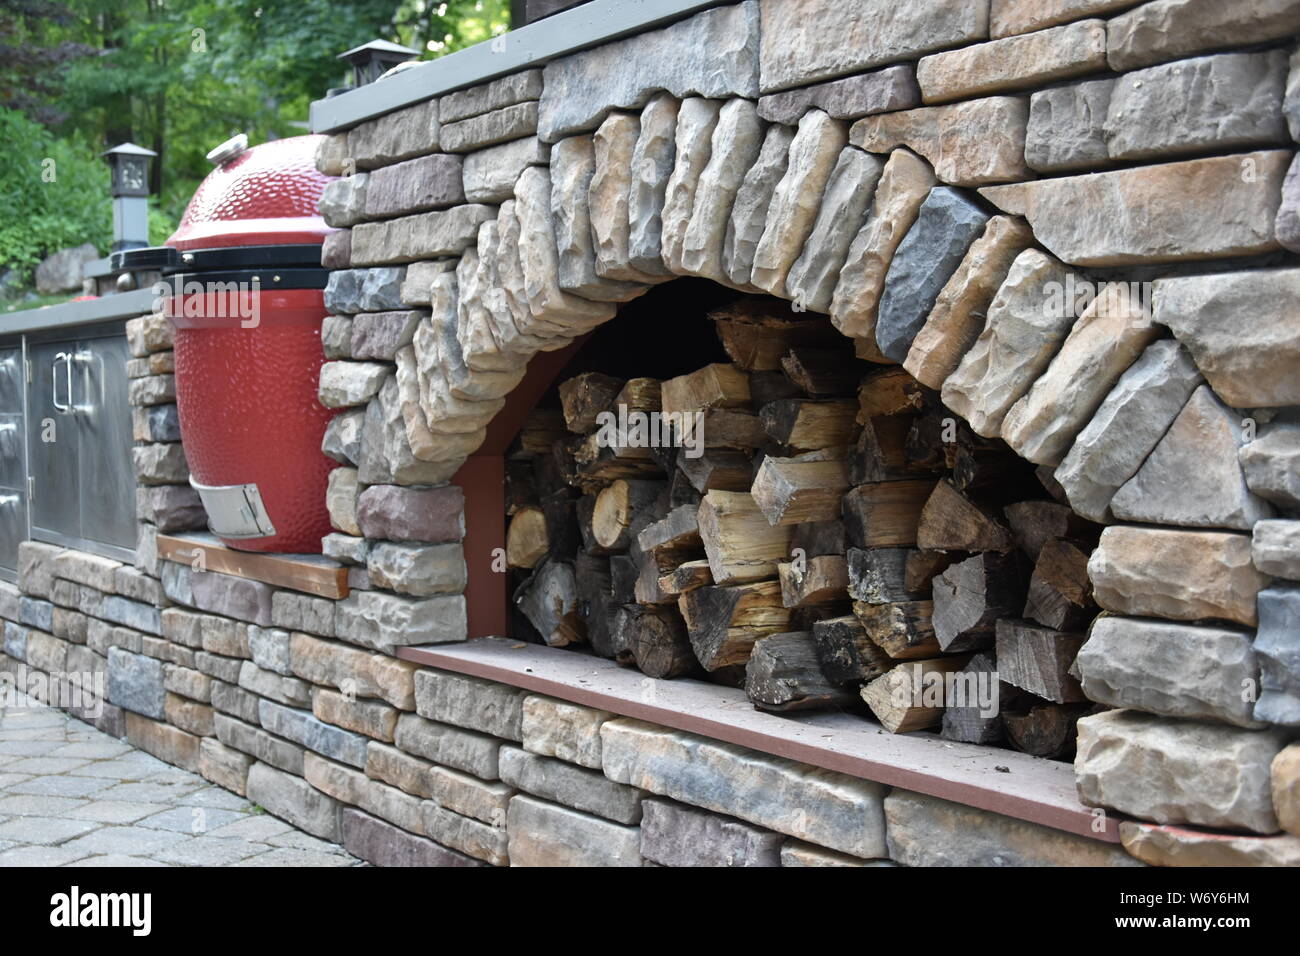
x: 409, y: 765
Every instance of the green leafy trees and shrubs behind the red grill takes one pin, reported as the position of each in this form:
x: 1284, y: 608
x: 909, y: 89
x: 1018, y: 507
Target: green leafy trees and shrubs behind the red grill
x: 183, y: 76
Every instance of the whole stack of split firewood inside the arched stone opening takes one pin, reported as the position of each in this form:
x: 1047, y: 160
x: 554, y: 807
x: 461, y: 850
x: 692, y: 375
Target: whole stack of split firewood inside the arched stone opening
x: 808, y: 526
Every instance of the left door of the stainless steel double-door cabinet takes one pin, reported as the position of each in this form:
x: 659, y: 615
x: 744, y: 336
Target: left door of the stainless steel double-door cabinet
x: 53, y: 443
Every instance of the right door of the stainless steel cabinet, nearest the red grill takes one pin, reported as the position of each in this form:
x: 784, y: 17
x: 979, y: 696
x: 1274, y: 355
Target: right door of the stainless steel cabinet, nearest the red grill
x: 103, y: 418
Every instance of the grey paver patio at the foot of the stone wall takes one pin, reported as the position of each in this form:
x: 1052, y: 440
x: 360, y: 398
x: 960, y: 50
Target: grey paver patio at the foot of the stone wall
x: 75, y: 797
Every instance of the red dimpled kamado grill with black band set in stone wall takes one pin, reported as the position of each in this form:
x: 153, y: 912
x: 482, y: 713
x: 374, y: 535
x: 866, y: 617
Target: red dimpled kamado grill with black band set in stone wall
x: 248, y: 306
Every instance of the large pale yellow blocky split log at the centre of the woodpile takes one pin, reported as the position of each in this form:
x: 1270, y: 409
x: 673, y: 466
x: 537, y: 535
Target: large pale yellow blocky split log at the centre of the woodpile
x: 739, y: 543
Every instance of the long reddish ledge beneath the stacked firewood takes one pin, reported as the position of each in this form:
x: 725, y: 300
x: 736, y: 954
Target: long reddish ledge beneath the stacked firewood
x: 1029, y: 789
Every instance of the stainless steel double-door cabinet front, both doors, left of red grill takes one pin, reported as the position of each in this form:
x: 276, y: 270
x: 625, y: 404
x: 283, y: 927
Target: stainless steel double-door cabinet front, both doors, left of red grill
x: 80, y: 443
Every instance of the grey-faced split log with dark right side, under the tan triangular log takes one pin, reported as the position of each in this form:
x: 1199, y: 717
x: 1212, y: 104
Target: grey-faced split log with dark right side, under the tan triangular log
x: 973, y: 595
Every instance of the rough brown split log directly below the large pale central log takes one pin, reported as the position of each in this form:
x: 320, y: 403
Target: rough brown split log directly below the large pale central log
x: 723, y: 624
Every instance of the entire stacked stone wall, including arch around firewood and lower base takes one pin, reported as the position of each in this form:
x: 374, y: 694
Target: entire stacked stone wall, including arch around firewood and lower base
x: 926, y: 175
